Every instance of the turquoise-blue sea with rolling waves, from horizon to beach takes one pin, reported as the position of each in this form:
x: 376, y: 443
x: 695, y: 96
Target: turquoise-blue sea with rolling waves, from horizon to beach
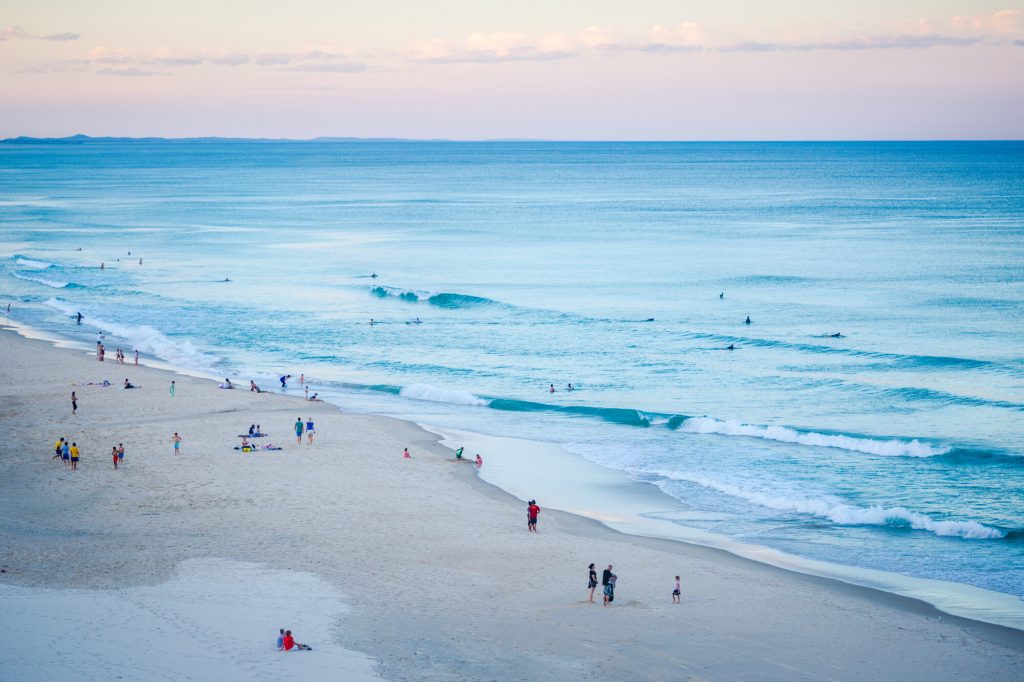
x: 899, y: 445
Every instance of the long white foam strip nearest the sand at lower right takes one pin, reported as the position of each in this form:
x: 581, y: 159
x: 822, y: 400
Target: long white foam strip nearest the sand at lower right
x: 845, y: 515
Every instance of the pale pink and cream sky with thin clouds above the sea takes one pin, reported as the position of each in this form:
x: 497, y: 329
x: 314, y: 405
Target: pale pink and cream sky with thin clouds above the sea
x: 478, y: 69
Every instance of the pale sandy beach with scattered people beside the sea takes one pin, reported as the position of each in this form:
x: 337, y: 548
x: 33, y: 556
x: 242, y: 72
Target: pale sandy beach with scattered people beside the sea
x: 421, y: 571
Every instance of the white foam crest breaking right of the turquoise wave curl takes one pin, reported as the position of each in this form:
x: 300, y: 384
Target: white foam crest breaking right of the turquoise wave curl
x: 785, y: 435
